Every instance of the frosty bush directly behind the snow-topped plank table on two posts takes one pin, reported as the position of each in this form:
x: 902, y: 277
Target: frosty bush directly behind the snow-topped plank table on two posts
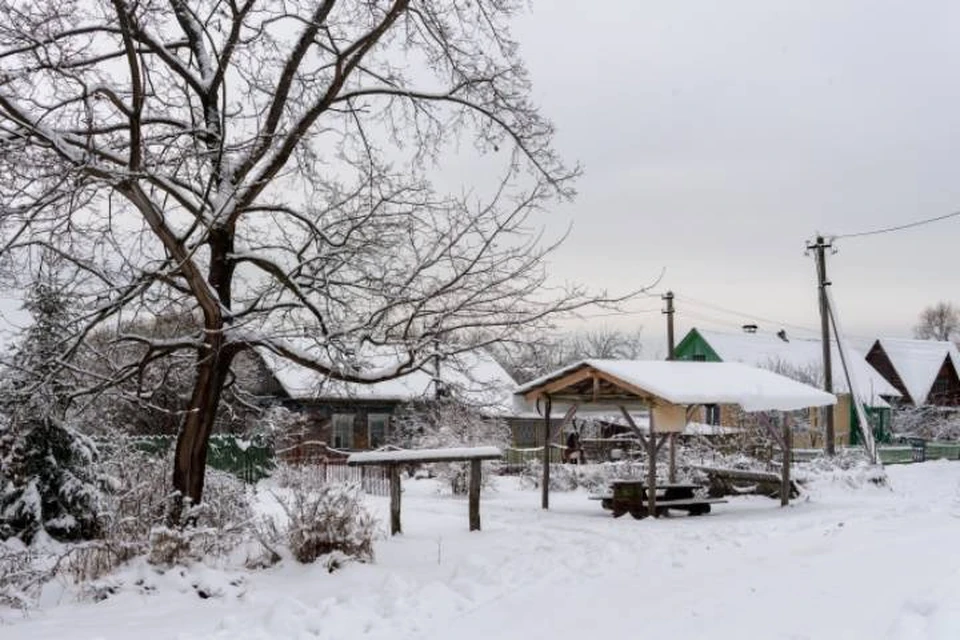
x: 446, y: 422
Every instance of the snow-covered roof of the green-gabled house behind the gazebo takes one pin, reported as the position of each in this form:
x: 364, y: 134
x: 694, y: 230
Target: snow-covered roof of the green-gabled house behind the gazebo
x: 805, y: 356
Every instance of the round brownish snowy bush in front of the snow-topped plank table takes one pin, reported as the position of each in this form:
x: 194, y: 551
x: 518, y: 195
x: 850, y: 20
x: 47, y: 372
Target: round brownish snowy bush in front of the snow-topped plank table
x: 325, y: 520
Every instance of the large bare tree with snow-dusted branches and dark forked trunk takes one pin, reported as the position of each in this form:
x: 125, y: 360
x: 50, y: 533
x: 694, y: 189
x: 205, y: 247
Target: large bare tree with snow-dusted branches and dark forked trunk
x: 265, y: 166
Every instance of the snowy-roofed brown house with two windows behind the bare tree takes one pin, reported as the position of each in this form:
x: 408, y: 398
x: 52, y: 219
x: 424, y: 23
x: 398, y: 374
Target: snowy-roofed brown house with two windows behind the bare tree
x: 350, y: 416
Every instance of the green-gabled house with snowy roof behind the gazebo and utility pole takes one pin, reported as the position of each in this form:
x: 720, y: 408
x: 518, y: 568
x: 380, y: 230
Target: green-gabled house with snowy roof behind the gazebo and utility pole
x: 800, y: 359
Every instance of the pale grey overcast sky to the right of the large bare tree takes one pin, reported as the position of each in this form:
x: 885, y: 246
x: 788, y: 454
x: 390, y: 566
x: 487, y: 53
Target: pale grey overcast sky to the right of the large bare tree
x: 717, y: 138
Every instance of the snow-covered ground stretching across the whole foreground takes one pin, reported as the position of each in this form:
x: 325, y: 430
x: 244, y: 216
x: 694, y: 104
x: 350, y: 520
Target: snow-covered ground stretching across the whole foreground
x: 845, y: 563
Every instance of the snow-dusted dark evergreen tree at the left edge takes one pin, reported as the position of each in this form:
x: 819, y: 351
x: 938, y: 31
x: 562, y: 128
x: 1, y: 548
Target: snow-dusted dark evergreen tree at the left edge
x: 47, y: 480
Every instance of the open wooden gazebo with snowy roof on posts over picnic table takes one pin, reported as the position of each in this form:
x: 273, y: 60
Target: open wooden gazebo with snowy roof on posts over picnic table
x: 667, y: 389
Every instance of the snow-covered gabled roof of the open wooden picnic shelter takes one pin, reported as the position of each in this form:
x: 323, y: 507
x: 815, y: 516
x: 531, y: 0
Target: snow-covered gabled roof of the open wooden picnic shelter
x: 686, y: 383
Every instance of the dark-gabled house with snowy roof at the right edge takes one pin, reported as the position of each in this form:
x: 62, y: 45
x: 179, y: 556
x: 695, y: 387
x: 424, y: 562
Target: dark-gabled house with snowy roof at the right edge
x: 924, y: 371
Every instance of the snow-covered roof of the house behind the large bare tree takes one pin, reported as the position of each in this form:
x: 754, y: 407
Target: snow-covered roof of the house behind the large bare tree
x: 473, y: 376
